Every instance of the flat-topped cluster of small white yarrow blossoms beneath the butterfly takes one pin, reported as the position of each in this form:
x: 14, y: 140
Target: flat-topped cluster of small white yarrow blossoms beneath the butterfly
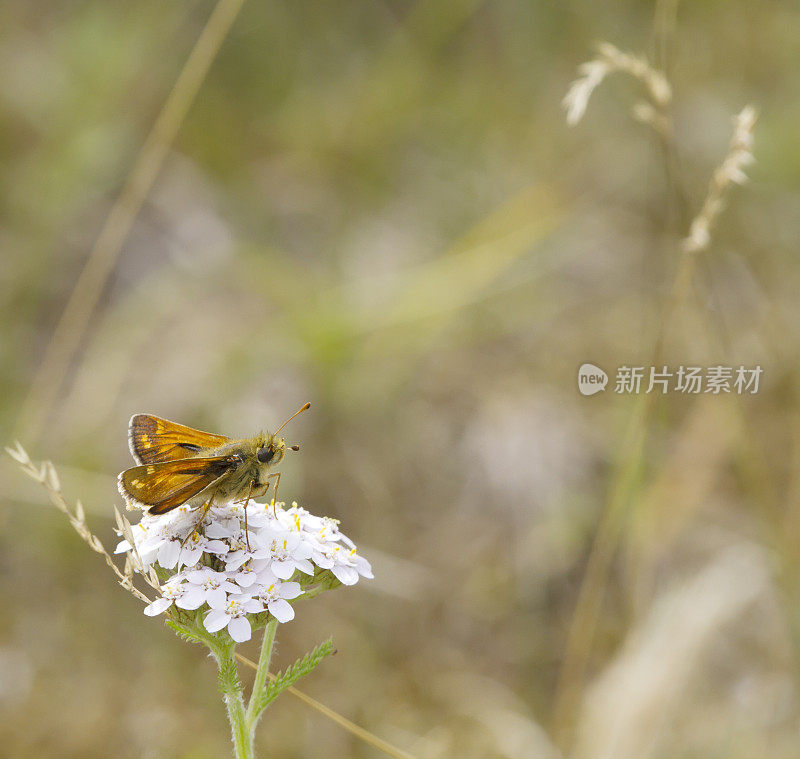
x: 237, y: 572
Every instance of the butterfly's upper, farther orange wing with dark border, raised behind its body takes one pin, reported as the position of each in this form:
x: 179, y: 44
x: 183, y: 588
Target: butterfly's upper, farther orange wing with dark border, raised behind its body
x: 153, y: 440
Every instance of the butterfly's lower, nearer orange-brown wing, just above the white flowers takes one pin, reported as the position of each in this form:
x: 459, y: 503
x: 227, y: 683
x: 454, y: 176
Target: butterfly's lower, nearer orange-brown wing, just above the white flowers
x: 163, y: 486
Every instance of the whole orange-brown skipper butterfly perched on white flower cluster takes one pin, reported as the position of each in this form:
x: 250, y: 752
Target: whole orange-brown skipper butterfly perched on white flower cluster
x: 179, y: 465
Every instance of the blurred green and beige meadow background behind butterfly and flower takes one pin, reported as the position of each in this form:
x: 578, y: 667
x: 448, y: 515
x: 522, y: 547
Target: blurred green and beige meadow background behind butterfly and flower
x: 377, y: 207
